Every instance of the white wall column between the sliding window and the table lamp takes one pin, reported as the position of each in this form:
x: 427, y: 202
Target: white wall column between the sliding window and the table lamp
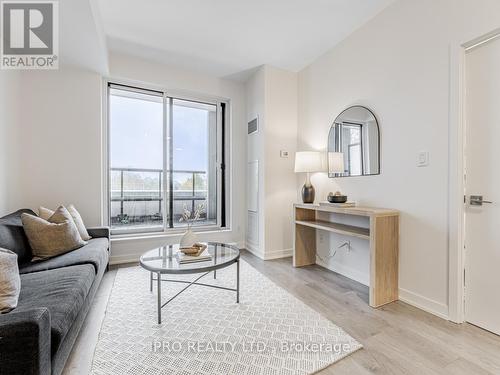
x: 272, y: 96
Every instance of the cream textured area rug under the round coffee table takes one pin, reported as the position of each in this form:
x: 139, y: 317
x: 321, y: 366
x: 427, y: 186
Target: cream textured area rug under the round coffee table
x: 205, y: 332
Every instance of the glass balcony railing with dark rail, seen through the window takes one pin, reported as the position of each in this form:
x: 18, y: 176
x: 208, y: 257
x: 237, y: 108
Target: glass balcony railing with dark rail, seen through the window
x: 125, y: 197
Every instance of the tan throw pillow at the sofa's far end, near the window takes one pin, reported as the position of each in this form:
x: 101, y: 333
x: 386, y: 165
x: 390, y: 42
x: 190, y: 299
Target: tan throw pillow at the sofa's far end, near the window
x: 50, y: 239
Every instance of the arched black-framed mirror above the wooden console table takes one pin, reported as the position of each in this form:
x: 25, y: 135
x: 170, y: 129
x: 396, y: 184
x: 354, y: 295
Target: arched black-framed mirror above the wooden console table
x: 354, y: 144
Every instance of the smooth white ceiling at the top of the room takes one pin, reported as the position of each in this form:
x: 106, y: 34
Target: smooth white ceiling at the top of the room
x: 227, y: 37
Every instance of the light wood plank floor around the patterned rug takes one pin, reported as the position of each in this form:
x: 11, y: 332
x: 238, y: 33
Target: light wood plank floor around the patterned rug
x: 397, y: 338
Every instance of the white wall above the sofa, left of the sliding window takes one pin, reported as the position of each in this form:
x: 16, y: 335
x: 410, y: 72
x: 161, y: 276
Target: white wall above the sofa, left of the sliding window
x: 54, y: 140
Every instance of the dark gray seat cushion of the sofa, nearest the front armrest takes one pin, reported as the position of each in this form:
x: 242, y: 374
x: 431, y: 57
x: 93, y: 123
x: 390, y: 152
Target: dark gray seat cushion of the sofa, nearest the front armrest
x: 62, y: 291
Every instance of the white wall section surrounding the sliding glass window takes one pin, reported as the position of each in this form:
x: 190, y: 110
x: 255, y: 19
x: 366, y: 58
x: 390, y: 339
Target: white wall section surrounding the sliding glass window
x: 135, y: 69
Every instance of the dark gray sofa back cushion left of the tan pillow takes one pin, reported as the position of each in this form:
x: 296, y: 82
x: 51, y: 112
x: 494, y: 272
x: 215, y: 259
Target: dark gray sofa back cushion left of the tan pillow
x: 12, y: 236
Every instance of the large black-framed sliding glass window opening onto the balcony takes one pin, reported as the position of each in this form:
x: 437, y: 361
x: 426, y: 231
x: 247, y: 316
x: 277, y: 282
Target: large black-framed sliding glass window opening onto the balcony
x: 166, y: 155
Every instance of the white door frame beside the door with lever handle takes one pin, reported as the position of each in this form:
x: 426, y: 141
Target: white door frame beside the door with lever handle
x: 456, y: 173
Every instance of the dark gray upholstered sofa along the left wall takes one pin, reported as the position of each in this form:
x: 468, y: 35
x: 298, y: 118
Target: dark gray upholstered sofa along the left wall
x: 37, y: 336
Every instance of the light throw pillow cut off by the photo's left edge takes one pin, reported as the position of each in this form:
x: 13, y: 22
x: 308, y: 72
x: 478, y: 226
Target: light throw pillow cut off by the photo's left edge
x: 10, y: 282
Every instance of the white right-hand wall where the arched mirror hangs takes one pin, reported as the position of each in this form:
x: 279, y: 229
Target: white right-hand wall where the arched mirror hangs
x: 398, y: 65
